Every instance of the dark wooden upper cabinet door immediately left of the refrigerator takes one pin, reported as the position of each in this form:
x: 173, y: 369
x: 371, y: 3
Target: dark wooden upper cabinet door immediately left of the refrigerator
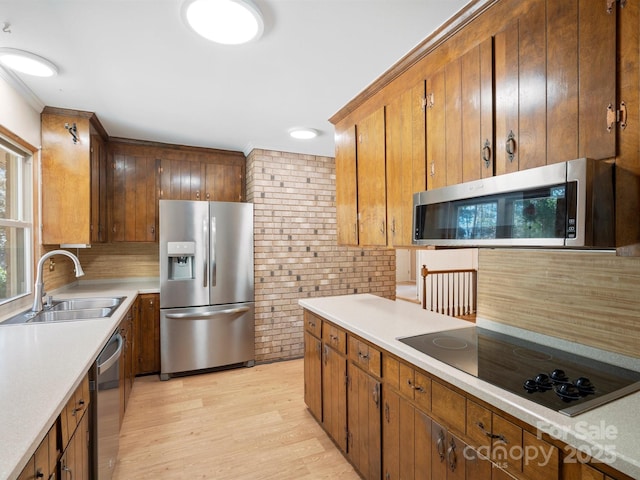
x: 134, y: 198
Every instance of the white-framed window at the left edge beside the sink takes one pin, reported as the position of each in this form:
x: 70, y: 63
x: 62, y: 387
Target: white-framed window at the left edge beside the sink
x: 16, y: 228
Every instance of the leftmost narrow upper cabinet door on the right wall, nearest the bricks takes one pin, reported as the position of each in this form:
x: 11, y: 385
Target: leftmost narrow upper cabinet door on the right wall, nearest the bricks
x: 346, y: 187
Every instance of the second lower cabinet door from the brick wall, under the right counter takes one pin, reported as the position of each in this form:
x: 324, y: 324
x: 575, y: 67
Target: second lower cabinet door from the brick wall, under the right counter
x: 334, y: 396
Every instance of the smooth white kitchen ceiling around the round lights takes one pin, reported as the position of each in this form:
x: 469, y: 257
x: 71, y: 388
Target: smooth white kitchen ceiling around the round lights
x: 149, y: 77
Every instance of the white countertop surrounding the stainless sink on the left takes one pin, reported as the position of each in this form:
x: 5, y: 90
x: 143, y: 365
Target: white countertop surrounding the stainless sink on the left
x: 42, y: 364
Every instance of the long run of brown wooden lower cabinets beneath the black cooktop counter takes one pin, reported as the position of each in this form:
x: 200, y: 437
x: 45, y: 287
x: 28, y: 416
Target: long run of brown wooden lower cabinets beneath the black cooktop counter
x: 395, y: 421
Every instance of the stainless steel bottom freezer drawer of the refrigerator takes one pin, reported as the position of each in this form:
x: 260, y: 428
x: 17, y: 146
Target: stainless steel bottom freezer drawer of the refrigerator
x: 206, y: 337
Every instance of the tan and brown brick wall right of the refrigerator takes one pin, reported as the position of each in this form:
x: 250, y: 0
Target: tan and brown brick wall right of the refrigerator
x: 296, y: 255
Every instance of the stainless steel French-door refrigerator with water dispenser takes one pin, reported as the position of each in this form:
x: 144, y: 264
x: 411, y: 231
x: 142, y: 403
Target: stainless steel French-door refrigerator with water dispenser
x: 206, y: 286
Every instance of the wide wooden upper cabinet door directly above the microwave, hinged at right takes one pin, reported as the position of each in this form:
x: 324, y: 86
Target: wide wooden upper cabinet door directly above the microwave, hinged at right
x: 554, y: 80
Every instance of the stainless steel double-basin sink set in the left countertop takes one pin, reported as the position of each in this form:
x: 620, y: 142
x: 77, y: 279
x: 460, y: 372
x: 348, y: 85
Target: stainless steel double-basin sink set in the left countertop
x: 67, y: 310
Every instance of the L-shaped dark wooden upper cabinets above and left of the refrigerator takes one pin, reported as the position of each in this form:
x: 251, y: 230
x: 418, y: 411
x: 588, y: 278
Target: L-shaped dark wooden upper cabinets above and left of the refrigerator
x: 143, y: 173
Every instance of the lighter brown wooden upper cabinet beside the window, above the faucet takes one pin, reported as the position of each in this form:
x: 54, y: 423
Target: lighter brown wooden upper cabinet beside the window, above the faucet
x: 74, y: 189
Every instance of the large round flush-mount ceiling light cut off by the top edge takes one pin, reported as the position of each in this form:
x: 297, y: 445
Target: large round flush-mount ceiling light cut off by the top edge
x: 230, y: 22
